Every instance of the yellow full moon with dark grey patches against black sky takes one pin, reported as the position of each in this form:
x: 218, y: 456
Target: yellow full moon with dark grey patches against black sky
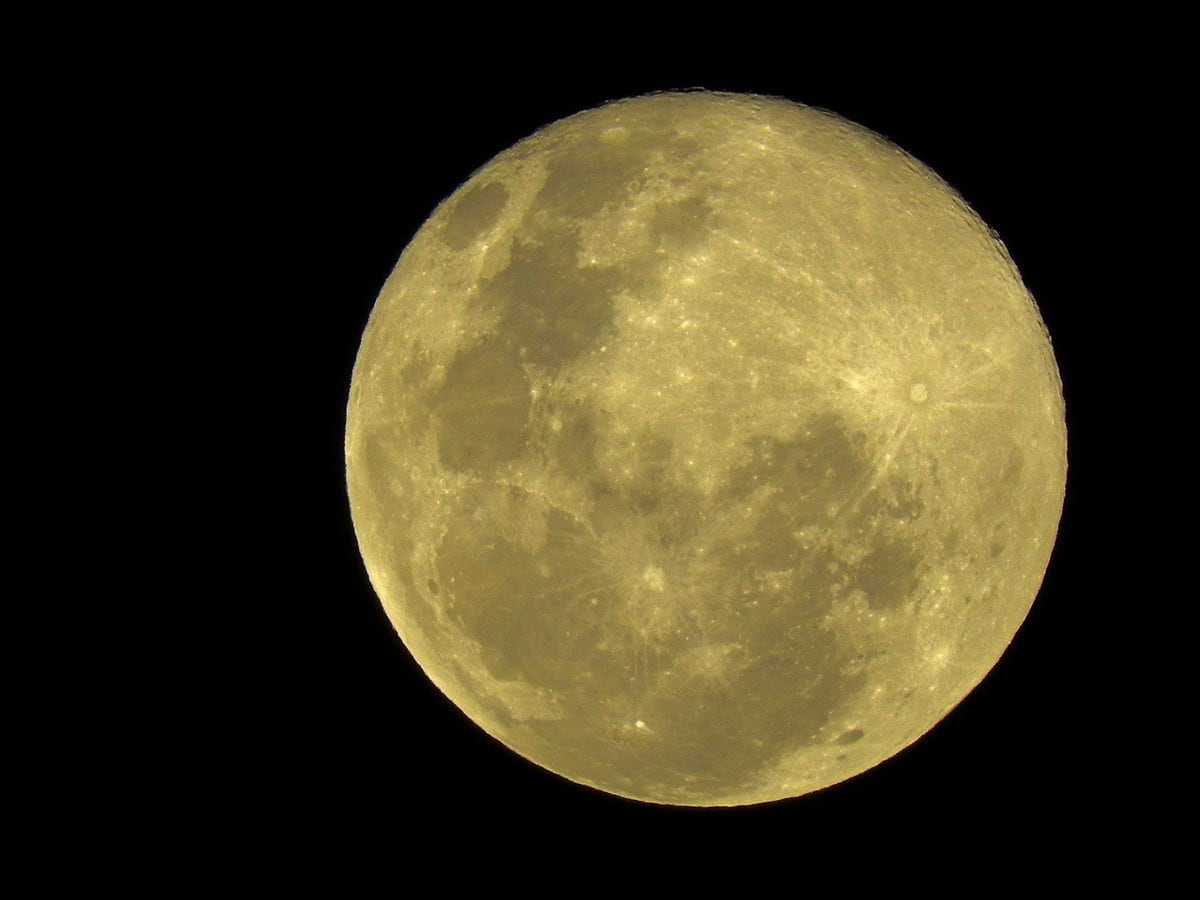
x: 706, y: 449
